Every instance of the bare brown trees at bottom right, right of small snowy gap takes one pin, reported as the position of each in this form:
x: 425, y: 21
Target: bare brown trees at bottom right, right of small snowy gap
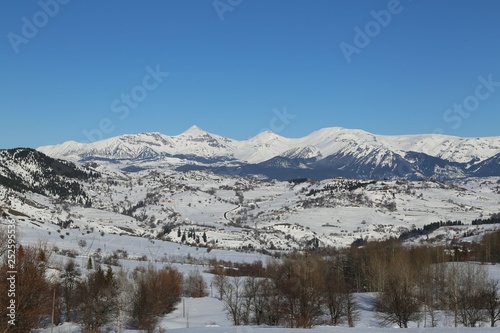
x: 415, y: 283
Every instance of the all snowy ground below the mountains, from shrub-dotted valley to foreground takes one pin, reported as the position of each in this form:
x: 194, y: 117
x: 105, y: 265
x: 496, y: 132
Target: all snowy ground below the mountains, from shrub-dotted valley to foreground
x: 236, y: 212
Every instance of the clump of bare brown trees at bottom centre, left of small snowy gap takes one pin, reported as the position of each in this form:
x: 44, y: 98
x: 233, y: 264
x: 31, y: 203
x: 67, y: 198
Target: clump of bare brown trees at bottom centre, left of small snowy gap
x: 296, y: 292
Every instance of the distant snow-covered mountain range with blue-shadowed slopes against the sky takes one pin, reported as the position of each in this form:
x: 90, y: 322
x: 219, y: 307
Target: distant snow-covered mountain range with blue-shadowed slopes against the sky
x: 322, y: 154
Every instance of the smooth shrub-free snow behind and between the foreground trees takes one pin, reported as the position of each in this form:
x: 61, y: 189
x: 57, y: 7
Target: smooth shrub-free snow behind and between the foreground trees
x: 207, y: 314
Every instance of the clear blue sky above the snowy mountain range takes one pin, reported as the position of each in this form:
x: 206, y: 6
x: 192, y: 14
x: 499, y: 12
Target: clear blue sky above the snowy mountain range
x: 82, y: 70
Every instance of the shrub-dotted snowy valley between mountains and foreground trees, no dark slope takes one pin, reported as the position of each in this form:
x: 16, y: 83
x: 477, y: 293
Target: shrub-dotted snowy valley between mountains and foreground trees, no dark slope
x: 241, y: 213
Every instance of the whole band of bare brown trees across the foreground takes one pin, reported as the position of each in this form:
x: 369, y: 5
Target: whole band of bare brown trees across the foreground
x: 299, y: 290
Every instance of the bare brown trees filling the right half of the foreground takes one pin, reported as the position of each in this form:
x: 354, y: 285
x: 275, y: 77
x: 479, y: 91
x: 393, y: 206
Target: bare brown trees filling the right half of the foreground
x: 411, y: 284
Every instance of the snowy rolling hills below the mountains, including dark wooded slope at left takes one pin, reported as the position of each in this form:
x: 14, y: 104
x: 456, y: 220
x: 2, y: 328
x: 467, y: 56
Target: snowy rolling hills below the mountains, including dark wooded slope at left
x: 209, y: 210
